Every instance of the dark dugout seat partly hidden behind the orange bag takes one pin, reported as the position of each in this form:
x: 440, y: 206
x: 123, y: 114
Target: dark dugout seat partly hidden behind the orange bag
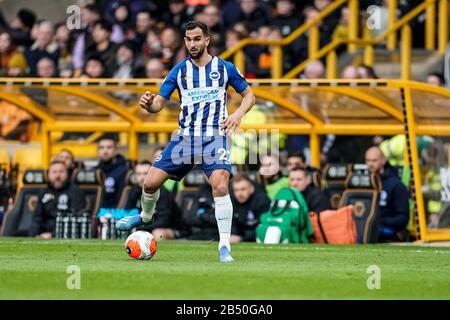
x: 335, y: 175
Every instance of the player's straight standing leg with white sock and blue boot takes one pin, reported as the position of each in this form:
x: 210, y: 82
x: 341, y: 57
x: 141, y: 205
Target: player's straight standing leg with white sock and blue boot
x: 223, y: 211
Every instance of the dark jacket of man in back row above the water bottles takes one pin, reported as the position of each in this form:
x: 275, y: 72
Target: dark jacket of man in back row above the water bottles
x: 115, y: 172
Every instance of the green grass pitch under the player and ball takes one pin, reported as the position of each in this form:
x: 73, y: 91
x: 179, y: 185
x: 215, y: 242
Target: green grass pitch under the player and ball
x: 37, y: 269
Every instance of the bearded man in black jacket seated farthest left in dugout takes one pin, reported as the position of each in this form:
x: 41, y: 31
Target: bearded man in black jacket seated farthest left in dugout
x: 60, y: 195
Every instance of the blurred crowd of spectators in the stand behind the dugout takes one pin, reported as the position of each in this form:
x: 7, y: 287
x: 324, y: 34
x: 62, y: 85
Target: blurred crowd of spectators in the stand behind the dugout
x: 125, y: 39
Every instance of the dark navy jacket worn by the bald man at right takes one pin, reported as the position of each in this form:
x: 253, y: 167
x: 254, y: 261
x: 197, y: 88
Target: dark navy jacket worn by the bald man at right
x: 394, y: 201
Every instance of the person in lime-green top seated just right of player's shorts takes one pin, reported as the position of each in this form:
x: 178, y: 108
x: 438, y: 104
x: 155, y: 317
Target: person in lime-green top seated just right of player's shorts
x: 271, y: 175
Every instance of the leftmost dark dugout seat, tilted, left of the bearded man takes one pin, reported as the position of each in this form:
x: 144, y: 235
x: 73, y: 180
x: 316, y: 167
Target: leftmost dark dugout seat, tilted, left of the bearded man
x: 17, y: 222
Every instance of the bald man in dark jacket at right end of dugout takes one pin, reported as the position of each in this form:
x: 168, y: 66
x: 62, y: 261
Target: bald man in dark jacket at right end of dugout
x: 394, y: 198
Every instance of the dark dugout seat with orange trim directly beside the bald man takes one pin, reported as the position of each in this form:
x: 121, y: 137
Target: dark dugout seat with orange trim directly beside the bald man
x: 362, y: 191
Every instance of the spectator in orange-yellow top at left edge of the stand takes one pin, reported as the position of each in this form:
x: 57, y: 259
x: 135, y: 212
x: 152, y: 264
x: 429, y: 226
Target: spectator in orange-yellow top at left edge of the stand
x: 12, y: 62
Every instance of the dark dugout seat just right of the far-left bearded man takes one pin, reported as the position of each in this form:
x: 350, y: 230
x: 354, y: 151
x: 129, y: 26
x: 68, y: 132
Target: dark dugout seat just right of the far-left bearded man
x: 91, y: 182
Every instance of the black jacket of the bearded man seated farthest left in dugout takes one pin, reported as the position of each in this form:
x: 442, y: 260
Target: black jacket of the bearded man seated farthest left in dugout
x: 52, y: 201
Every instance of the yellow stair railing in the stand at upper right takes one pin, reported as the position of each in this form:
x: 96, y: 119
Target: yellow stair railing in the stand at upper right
x: 353, y: 42
